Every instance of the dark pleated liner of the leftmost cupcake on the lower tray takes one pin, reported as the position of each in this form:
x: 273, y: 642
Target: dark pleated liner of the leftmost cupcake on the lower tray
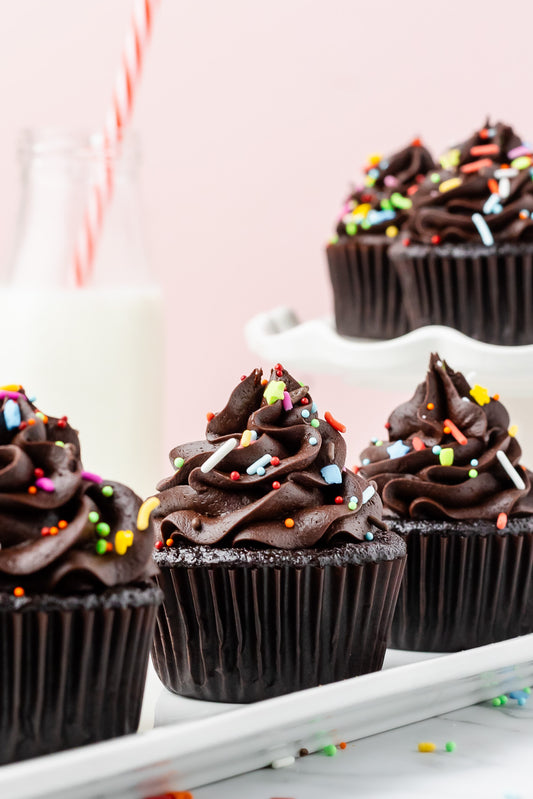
x: 72, y: 669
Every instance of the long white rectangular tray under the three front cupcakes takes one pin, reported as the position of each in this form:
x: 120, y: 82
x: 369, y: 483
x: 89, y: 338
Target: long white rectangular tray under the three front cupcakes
x: 195, y: 746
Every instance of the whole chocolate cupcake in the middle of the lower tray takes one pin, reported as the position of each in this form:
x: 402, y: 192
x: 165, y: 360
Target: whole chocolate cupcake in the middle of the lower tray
x: 277, y: 571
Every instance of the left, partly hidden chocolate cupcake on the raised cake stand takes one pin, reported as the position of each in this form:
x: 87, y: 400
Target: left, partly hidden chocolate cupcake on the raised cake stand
x: 367, y: 294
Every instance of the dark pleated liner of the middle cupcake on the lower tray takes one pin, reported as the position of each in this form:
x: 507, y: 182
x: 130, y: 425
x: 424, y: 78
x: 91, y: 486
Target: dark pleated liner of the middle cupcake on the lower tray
x: 250, y: 633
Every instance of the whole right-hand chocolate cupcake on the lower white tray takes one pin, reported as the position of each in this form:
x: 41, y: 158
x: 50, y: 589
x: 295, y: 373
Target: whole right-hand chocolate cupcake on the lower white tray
x: 453, y: 488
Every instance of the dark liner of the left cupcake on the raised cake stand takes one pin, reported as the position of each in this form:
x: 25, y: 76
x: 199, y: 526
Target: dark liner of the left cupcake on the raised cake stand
x: 367, y: 294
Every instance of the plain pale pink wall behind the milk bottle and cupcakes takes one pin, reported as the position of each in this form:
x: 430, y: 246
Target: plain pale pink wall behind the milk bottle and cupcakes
x: 254, y: 119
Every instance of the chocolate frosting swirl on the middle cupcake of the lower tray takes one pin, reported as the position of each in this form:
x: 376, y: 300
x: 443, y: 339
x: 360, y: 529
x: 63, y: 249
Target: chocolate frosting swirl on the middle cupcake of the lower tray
x: 300, y: 497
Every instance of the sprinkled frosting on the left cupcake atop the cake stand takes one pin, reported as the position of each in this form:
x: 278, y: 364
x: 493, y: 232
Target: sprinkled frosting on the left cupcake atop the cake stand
x: 383, y: 202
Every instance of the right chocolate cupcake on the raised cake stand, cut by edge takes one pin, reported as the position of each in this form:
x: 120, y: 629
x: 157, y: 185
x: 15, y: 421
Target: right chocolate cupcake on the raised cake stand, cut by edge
x: 465, y: 259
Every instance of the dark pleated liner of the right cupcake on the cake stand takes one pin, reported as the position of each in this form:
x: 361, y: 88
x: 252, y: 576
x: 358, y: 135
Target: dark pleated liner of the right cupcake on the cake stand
x: 485, y: 292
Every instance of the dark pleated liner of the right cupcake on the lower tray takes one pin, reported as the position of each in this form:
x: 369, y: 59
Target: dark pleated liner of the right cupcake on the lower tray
x: 461, y: 591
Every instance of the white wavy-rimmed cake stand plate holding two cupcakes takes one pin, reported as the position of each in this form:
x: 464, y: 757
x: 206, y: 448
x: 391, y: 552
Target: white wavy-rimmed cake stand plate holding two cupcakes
x: 314, y: 345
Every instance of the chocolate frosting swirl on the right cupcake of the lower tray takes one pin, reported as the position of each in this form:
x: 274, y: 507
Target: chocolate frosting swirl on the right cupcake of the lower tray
x: 409, y: 470
